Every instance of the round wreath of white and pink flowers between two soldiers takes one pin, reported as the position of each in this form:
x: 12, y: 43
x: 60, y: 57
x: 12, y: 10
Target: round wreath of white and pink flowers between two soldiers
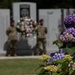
x: 26, y: 26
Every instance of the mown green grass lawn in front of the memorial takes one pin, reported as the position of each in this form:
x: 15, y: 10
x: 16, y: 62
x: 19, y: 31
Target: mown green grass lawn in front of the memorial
x: 19, y: 66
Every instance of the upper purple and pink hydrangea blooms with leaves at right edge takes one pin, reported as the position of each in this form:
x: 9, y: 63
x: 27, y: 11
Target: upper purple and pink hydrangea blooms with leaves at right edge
x: 67, y: 38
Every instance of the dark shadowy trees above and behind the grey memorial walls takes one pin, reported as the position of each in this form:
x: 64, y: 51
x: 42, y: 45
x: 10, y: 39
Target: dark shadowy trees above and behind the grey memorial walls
x: 40, y: 3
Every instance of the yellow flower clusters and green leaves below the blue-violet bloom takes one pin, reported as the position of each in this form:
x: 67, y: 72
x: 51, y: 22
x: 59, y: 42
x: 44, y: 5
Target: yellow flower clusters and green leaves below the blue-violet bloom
x: 63, y: 66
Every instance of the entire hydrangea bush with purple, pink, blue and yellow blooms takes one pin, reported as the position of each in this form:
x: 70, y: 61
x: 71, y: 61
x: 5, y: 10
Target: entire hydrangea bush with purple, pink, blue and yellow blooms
x: 62, y: 63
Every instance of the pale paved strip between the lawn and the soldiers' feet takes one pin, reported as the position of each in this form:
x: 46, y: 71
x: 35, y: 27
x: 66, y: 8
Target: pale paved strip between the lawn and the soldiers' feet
x: 18, y: 57
